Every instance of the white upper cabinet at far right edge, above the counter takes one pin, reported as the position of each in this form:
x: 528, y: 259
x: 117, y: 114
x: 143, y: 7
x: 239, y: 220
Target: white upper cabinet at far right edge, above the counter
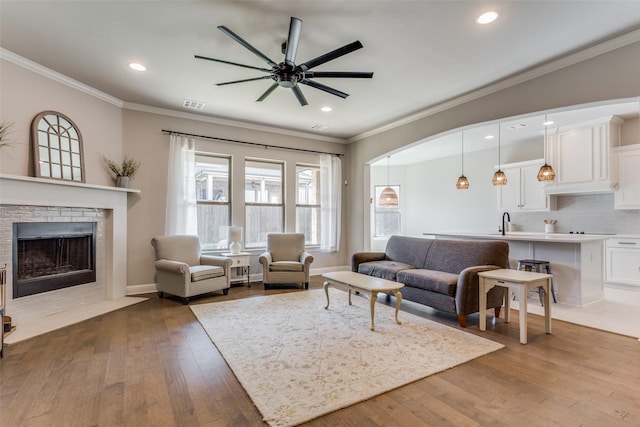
x: 627, y: 194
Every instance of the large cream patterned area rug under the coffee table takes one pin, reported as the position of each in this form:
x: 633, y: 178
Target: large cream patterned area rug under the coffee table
x: 298, y: 361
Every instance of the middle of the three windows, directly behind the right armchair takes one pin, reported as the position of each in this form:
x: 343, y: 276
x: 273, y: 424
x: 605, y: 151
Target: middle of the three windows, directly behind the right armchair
x: 264, y: 202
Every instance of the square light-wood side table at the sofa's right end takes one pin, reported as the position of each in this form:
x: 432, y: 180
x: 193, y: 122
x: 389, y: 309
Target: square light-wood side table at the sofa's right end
x: 521, y: 282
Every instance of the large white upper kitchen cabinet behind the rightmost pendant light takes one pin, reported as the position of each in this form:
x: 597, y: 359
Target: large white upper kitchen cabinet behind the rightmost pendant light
x: 581, y: 156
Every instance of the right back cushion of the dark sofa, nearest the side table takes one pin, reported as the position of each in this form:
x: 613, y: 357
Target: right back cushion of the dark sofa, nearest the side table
x: 453, y: 256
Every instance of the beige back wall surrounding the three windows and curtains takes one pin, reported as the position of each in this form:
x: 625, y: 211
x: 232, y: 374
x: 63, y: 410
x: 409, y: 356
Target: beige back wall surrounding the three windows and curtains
x: 144, y: 140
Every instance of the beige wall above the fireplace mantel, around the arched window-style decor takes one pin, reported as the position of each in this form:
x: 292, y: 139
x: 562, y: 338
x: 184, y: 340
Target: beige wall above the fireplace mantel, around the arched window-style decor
x: 25, y: 93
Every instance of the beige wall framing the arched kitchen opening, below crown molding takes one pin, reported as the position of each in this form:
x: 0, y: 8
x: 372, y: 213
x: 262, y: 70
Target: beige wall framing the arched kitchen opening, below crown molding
x: 612, y: 75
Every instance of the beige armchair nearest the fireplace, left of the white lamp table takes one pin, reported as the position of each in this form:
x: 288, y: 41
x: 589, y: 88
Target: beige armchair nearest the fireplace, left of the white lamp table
x: 182, y: 270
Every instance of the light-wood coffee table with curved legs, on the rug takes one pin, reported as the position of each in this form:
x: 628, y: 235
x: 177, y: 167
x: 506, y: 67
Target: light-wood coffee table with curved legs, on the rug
x: 351, y: 281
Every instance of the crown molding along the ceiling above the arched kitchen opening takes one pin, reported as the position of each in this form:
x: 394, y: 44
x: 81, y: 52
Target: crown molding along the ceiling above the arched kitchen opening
x: 549, y: 67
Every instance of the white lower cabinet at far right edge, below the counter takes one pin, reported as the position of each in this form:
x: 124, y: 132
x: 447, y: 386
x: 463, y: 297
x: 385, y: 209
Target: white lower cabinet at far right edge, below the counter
x: 623, y: 261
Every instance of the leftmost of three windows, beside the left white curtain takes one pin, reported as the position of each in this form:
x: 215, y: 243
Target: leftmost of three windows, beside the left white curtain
x: 212, y: 196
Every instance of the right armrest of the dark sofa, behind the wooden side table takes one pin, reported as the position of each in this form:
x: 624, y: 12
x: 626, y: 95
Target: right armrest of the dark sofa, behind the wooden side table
x: 468, y: 292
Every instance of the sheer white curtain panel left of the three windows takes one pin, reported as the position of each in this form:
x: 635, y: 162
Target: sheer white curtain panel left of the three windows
x: 181, y: 214
